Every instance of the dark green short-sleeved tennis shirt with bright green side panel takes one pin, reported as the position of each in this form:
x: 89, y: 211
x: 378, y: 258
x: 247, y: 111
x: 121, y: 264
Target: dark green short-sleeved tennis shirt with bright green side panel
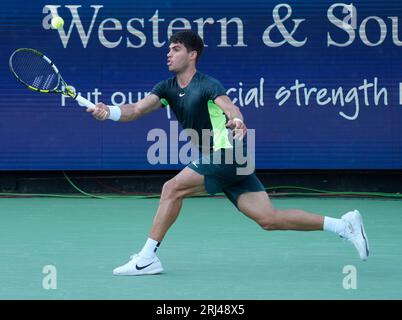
x: 194, y: 107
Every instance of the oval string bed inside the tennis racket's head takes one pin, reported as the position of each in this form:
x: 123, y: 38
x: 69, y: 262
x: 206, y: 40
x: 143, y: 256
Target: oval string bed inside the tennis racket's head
x: 34, y: 70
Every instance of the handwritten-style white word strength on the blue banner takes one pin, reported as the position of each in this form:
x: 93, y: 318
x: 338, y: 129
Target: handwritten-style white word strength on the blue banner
x: 321, y: 97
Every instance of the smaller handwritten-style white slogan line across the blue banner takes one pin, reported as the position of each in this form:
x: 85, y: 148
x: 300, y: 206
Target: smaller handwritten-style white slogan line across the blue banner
x: 299, y: 94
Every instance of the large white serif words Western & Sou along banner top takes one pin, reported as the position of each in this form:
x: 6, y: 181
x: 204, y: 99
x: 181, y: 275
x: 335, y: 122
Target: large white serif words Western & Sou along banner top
x: 112, y: 28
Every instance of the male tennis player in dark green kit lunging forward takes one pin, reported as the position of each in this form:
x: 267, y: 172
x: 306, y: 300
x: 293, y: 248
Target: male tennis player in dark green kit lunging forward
x: 200, y: 102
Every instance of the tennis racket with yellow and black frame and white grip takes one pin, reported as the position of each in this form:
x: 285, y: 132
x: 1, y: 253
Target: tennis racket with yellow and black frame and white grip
x: 36, y: 71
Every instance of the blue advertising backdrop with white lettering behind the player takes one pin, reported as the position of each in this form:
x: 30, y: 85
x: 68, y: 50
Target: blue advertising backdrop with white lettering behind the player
x: 319, y: 81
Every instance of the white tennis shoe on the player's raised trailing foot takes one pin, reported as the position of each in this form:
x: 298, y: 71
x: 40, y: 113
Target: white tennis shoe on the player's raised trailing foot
x: 354, y: 232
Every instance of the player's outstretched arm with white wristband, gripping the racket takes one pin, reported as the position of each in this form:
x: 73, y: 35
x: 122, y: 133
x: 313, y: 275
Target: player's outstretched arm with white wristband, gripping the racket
x: 126, y: 112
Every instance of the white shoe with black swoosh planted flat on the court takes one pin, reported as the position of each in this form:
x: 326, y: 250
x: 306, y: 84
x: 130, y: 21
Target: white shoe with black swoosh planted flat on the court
x: 139, y: 266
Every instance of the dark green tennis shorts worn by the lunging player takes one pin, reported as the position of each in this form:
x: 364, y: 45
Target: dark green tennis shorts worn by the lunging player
x: 225, y: 177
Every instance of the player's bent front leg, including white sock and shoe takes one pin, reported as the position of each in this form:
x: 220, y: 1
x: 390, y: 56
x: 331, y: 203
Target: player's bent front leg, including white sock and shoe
x: 187, y: 182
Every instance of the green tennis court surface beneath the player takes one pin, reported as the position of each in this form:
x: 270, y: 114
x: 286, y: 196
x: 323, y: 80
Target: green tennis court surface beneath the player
x: 212, y: 252
